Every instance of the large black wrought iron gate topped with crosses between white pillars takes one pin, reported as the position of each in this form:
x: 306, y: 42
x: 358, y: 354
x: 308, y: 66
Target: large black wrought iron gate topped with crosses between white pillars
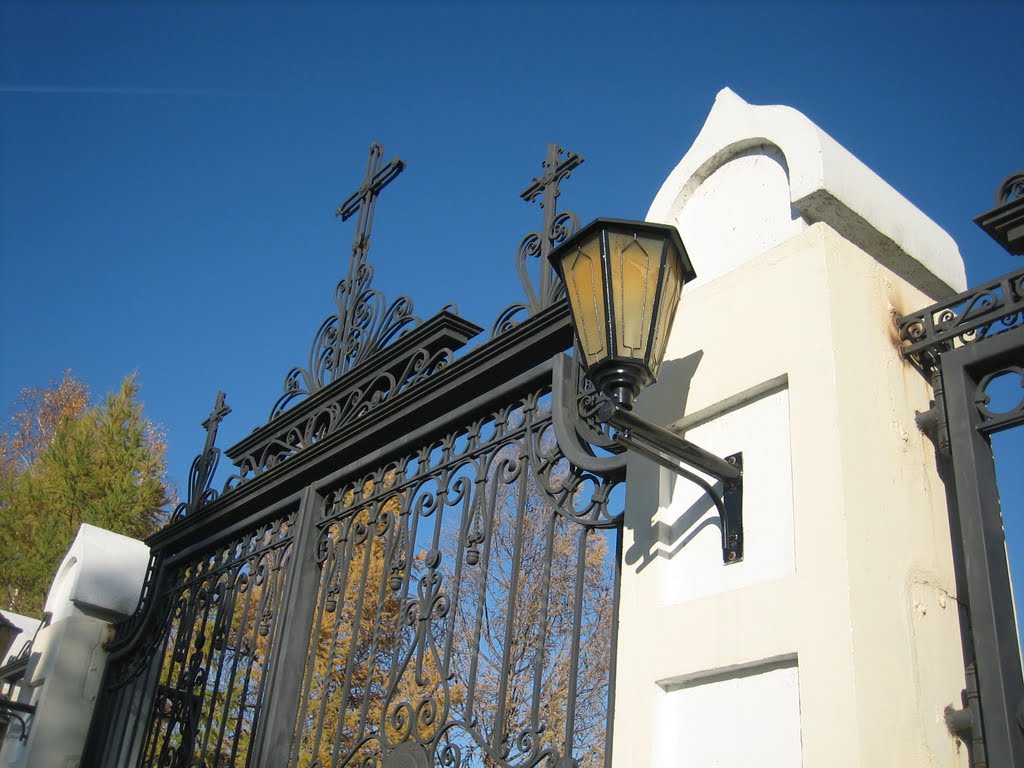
x: 415, y: 564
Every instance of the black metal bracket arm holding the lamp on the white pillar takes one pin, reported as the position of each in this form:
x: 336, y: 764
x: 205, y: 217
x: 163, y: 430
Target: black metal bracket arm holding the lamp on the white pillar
x: 669, y: 450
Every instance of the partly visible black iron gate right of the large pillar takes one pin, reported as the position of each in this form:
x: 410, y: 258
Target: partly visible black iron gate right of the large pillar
x: 964, y: 346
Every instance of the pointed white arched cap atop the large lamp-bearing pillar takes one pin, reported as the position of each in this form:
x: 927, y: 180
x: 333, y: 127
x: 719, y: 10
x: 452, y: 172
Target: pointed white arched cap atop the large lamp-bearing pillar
x: 758, y: 176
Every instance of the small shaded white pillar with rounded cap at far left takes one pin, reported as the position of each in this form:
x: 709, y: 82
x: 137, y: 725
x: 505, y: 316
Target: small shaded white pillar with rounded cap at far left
x: 99, y: 583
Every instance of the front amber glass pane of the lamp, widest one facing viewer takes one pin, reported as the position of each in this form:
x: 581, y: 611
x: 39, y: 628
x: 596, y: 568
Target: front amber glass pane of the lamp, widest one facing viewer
x: 633, y: 265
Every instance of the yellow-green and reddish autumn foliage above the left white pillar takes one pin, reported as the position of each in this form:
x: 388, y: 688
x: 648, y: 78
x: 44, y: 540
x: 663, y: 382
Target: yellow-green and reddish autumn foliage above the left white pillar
x: 62, y: 465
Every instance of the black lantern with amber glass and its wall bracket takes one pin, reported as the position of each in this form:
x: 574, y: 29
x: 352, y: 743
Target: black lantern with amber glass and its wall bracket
x: 624, y: 280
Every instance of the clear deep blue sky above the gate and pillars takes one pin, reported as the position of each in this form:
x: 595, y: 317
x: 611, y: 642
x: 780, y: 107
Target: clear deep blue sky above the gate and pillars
x: 169, y: 172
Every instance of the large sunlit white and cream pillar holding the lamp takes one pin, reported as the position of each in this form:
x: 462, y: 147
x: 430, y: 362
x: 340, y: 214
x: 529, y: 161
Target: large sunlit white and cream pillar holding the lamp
x: 836, y: 643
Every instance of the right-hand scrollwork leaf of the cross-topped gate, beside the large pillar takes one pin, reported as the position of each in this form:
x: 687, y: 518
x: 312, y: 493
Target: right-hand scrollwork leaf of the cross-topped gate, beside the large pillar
x: 415, y: 556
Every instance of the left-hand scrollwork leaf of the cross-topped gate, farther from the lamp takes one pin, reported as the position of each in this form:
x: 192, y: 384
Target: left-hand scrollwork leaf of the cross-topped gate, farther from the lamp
x: 221, y: 645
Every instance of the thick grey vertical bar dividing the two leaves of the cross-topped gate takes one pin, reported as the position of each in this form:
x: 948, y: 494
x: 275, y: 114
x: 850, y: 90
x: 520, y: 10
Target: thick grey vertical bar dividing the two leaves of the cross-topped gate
x: 284, y: 688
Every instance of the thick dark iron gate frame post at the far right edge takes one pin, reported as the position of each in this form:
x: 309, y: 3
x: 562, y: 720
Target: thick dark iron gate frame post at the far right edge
x: 994, y: 625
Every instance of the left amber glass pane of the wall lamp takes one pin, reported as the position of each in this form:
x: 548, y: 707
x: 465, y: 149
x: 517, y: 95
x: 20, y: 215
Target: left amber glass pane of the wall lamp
x: 582, y: 273
